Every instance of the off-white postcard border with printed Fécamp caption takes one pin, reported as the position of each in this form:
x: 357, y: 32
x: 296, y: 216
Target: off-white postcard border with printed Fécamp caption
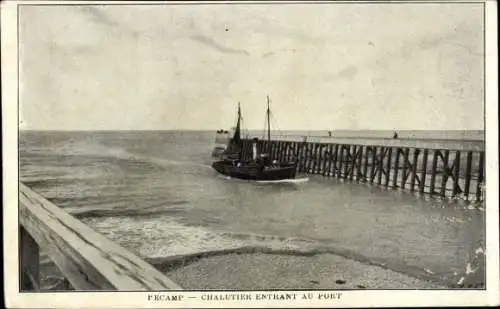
x: 369, y: 298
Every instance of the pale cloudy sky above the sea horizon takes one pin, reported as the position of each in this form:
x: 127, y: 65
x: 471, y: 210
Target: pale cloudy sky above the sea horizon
x: 333, y: 66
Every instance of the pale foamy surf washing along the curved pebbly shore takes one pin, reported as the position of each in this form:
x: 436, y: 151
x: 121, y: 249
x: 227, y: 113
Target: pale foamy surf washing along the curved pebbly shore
x: 168, y: 244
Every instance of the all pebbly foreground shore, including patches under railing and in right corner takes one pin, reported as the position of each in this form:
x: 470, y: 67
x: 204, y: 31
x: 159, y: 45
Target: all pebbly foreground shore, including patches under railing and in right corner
x: 267, y: 271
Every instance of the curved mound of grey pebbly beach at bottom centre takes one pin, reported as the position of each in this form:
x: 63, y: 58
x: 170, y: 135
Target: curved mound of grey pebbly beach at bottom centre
x: 257, y: 271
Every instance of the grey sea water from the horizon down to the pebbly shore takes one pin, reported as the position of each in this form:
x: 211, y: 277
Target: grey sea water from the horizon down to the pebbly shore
x: 156, y: 194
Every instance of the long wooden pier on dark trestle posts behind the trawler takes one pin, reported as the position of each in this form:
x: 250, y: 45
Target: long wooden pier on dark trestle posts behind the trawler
x: 438, y: 168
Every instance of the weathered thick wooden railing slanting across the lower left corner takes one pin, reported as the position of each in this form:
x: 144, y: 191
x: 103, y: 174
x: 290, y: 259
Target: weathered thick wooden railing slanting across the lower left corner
x: 88, y: 260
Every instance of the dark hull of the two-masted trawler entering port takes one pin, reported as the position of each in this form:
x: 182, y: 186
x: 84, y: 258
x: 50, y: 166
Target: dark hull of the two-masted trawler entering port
x: 249, y: 171
